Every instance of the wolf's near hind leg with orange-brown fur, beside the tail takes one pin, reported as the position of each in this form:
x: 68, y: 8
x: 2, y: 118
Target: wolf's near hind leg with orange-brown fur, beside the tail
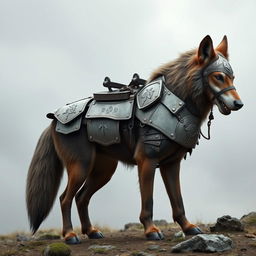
x: 78, y: 156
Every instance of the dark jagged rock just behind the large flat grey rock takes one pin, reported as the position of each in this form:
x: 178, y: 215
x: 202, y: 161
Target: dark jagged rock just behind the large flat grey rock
x: 227, y: 223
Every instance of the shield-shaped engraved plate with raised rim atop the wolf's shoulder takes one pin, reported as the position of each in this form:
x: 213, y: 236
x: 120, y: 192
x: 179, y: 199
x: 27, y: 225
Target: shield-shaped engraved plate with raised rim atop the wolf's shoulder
x: 149, y: 94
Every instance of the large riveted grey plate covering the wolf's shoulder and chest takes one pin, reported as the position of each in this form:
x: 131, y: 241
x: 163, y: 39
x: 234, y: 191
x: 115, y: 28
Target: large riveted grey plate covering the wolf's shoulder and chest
x: 171, y: 117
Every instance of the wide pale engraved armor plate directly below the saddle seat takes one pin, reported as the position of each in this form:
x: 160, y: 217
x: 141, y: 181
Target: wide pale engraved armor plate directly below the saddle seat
x: 117, y: 110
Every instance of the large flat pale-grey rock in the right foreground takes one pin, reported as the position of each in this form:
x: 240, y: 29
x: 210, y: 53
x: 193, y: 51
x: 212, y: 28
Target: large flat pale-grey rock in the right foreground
x: 204, y: 243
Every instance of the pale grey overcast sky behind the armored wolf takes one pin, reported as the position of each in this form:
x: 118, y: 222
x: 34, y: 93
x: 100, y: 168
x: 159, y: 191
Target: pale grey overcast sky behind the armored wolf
x: 54, y: 52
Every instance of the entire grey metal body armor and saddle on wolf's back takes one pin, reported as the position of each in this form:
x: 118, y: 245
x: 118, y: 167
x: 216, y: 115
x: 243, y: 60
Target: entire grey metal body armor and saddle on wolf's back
x: 152, y: 104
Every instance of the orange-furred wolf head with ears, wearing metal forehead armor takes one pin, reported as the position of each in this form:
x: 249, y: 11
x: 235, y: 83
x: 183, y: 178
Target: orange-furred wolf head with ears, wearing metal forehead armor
x: 218, y: 75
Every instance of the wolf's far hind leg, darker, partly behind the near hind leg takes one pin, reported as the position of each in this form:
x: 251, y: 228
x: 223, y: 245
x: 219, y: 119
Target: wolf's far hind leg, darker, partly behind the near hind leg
x: 101, y: 174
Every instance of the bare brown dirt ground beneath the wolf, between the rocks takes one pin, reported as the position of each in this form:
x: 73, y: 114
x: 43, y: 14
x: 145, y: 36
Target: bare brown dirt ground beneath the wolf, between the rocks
x: 128, y: 243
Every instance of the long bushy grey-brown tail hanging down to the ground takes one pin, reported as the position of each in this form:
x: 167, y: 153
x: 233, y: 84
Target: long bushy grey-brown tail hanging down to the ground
x: 43, y: 180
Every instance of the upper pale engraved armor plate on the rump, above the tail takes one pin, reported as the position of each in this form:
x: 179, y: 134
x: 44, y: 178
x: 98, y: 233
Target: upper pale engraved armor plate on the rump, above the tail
x: 71, y: 111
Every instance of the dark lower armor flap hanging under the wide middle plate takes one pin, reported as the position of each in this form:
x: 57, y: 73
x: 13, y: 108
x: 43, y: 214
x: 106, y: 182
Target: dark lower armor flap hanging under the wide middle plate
x: 103, y: 131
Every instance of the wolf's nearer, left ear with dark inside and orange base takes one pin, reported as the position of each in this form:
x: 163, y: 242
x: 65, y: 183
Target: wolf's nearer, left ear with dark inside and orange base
x: 205, y: 51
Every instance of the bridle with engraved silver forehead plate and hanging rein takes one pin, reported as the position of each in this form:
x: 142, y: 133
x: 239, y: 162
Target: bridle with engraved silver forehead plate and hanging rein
x: 220, y: 64
